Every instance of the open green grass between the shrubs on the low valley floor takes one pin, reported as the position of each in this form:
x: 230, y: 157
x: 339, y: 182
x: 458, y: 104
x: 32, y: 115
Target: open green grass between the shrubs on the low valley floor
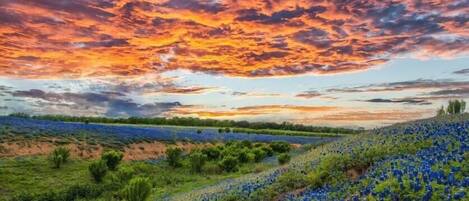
x: 36, y: 175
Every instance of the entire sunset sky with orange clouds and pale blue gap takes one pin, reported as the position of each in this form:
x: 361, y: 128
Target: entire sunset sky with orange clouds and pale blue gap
x: 334, y: 63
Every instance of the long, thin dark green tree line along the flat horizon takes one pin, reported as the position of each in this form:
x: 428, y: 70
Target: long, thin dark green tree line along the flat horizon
x: 191, y: 121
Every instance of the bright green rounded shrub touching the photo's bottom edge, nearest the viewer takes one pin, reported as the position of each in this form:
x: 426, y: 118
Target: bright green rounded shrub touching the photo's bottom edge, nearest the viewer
x: 138, y: 189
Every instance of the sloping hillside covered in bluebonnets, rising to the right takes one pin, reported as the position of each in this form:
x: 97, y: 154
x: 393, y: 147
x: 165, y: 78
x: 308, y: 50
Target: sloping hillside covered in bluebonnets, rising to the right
x: 421, y: 160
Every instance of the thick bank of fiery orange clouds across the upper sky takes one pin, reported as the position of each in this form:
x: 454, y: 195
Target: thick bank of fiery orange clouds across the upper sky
x: 54, y: 39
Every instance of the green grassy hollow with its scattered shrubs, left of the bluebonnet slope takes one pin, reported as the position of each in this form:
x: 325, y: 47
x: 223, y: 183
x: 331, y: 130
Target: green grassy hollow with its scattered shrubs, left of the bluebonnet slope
x: 58, y: 177
